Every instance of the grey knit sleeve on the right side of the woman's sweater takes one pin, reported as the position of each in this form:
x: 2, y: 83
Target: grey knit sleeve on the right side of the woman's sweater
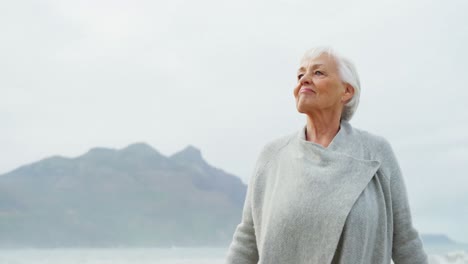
x: 407, y: 244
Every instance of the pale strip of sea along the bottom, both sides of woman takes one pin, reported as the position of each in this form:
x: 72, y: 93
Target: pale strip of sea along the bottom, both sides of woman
x: 154, y: 256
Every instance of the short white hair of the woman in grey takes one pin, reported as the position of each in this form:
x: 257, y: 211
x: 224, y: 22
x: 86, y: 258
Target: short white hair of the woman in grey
x: 347, y: 72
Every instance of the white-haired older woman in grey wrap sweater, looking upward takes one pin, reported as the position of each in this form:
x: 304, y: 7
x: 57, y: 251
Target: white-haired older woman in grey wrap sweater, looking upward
x: 330, y: 193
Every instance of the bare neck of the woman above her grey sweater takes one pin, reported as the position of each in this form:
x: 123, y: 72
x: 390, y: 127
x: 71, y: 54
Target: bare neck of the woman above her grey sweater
x: 322, y: 130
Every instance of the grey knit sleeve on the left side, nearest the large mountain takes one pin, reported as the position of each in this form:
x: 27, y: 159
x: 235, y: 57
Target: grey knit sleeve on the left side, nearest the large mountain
x: 243, y: 248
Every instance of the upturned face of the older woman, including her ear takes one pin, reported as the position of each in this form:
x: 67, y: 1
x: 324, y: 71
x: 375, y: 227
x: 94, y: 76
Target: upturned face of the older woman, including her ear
x: 319, y: 87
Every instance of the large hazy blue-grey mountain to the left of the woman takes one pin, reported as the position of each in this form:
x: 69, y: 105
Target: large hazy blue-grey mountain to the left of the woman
x: 133, y: 196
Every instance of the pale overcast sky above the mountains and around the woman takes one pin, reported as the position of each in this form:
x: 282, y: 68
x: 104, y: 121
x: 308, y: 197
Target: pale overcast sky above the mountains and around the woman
x: 219, y: 75
